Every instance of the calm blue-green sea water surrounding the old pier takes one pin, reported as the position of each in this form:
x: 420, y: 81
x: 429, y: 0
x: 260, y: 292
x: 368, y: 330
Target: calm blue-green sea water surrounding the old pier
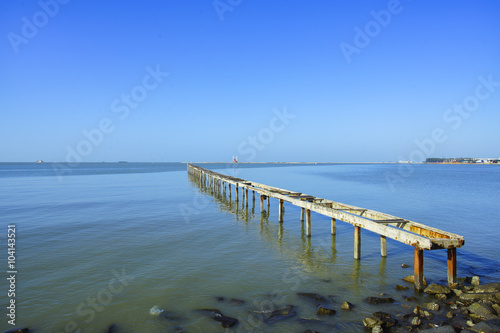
x: 102, y: 244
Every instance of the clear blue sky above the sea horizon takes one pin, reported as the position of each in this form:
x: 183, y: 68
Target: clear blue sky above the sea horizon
x: 355, y: 81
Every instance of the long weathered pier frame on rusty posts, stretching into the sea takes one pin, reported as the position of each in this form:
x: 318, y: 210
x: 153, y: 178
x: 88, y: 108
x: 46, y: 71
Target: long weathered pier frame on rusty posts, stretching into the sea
x: 420, y: 236
